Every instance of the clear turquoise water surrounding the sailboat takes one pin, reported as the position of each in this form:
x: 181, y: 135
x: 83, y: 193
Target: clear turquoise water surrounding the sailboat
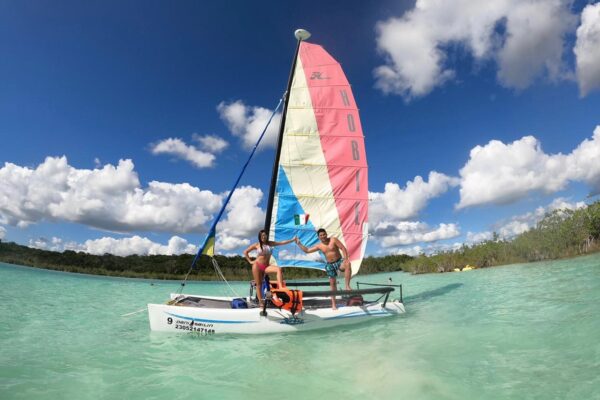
x: 515, y: 332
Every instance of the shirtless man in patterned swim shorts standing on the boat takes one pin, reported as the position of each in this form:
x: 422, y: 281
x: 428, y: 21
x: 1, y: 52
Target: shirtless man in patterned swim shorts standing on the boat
x: 333, y: 250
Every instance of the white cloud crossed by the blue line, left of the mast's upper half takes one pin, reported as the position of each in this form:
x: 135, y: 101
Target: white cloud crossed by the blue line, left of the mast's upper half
x: 248, y: 122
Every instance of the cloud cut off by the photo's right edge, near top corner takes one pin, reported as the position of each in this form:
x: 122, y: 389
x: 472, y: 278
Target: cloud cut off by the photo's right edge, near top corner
x: 587, y: 49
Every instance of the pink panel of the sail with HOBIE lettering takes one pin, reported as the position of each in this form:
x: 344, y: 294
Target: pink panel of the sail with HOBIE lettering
x: 342, y: 142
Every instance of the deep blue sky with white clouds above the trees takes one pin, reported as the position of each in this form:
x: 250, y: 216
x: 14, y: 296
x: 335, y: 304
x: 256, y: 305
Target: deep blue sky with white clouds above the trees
x: 123, y: 124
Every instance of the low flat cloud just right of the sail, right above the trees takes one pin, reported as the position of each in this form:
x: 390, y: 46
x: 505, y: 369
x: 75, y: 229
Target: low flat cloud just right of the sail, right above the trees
x: 405, y: 233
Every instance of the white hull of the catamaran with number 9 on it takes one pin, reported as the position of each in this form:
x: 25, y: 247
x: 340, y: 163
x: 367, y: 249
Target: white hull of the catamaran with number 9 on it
x: 209, y: 321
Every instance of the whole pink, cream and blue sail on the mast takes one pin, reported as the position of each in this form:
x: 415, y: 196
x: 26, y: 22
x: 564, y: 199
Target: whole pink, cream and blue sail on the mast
x: 322, y: 173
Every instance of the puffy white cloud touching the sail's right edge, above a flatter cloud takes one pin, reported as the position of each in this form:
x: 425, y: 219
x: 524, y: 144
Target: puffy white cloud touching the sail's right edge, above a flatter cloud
x: 396, y: 204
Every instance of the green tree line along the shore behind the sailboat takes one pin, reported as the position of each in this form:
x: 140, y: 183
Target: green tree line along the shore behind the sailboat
x: 560, y: 234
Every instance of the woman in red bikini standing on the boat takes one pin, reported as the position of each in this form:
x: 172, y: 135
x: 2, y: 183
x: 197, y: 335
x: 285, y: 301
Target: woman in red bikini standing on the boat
x: 260, y: 265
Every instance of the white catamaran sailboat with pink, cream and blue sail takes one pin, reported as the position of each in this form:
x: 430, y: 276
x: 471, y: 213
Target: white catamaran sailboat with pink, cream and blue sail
x: 319, y: 180
